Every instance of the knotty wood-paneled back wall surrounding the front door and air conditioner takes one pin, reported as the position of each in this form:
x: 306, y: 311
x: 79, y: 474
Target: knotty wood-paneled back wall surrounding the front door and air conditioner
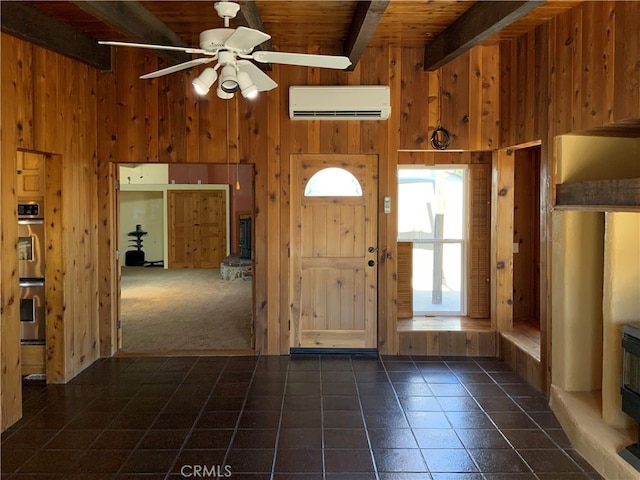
x: 164, y: 121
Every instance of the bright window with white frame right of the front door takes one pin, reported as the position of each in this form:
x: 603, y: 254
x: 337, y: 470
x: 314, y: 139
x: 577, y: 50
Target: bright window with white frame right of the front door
x: 432, y: 215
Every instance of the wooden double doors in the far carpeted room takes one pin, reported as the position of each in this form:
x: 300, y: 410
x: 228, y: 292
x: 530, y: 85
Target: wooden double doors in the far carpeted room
x: 197, y: 228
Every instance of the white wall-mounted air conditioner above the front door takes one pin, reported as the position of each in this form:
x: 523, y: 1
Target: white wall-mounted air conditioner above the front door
x: 348, y: 102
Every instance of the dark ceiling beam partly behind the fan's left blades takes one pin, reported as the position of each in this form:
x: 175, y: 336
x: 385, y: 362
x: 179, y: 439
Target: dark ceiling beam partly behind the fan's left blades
x: 134, y: 21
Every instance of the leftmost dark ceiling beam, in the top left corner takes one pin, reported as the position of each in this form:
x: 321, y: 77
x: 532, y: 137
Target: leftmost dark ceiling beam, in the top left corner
x: 36, y: 27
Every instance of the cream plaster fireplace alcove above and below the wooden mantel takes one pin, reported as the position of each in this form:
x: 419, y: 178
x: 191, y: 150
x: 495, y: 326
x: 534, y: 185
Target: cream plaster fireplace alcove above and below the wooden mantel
x: 595, y: 281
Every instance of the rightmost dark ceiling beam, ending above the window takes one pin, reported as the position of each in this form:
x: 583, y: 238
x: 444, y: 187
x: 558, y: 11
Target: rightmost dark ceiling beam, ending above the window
x: 481, y: 21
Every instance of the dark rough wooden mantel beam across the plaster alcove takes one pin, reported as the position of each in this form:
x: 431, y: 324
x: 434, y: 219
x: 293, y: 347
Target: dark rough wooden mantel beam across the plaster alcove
x: 621, y: 194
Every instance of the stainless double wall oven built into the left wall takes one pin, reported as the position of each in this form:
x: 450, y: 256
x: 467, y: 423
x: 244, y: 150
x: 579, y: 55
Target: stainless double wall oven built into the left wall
x: 31, y: 248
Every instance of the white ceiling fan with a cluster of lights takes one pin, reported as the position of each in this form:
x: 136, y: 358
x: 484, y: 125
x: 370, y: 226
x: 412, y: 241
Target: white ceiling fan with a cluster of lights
x: 232, y: 48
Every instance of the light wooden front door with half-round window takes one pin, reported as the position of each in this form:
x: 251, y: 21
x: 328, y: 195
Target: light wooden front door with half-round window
x: 334, y: 251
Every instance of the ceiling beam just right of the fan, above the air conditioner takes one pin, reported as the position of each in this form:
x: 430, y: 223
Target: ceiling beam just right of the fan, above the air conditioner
x: 363, y: 26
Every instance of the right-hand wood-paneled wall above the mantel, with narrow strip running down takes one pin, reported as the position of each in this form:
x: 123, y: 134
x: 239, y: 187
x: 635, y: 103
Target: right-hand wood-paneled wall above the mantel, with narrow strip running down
x: 577, y: 71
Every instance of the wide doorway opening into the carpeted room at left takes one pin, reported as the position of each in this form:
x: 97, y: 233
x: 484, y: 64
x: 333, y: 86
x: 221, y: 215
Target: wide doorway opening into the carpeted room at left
x: 182, y: 223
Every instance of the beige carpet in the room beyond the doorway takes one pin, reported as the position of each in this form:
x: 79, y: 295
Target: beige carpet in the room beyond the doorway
x: 183, y: 309
